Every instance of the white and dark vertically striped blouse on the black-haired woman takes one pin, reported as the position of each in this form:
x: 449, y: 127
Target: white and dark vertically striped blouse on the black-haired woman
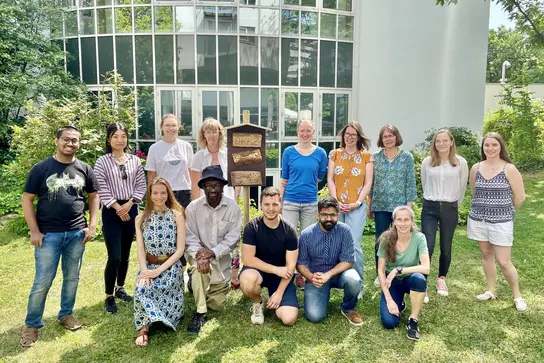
x: 112, y: 186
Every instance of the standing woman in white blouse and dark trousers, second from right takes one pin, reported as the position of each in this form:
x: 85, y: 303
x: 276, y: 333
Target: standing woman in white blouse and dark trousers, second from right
x: 444, y: 176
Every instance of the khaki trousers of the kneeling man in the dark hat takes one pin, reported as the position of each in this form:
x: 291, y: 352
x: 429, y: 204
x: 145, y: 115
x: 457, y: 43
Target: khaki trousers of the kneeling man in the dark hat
x: 208, y: 295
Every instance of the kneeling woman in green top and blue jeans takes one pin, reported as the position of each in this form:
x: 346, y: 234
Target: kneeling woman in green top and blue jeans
x: 403, y: 262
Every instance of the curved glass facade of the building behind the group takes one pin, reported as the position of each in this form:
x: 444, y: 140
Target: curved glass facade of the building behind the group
x: 283, y: 60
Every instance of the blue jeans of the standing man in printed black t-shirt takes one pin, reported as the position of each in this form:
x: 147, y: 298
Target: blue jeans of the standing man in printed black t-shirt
x: 69, y: 246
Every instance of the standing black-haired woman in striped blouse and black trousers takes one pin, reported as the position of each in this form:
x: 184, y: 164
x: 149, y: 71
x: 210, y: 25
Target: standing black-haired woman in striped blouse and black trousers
x: 122, y: 186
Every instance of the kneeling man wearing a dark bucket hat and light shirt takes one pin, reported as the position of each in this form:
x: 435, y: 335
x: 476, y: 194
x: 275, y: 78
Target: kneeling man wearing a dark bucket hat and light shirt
x: 213, y: 231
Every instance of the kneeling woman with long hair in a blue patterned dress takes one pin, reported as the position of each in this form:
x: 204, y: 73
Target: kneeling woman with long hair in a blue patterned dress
x: 160, y: 240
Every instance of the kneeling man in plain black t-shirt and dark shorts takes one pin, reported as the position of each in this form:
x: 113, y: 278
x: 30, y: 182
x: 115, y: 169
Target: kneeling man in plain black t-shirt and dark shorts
x: 269, y: 253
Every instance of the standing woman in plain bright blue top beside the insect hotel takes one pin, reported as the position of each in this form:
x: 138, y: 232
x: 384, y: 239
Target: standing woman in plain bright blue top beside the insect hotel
x: 303, y: 167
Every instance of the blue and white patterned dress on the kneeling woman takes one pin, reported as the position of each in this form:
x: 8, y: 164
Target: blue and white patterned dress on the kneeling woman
x: 163, y: 300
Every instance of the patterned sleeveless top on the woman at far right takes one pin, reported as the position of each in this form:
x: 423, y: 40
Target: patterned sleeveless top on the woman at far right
x: 493, y: 201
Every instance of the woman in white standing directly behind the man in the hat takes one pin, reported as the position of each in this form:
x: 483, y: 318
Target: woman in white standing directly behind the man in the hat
x: 211, y: 139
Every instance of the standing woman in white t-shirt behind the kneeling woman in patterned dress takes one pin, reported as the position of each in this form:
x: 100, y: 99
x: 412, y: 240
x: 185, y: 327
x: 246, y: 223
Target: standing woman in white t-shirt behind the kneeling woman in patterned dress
x: 170, y: 158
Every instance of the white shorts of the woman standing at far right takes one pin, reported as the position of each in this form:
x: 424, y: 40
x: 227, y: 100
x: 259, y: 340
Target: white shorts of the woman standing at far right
x: 498, y: 234
